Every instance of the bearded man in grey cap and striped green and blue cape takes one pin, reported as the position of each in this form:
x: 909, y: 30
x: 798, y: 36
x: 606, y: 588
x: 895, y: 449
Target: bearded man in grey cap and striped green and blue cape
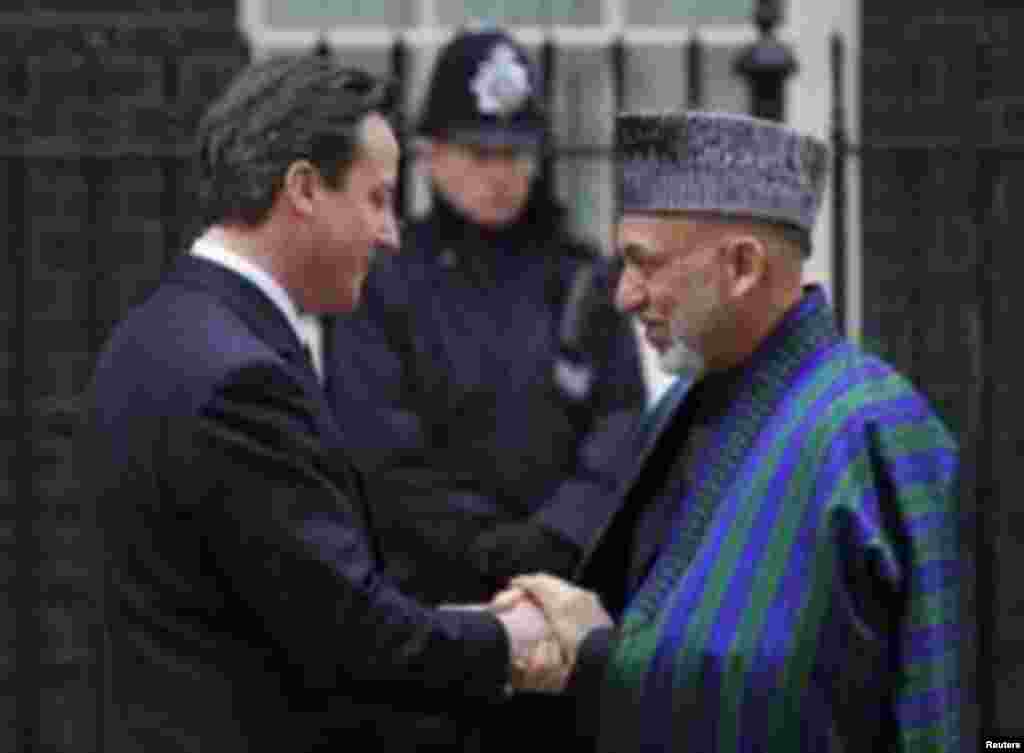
x: 784, y: 572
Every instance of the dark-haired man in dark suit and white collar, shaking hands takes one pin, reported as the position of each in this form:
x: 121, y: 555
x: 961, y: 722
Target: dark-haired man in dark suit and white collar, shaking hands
x: 244, y: 606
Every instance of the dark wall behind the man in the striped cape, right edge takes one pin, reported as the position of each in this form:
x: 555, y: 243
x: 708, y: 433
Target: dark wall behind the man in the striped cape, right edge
x: 944, y: 166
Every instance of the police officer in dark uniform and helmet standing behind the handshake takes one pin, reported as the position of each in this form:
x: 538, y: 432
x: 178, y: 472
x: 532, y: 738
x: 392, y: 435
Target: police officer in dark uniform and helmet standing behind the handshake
x: 493, y: 384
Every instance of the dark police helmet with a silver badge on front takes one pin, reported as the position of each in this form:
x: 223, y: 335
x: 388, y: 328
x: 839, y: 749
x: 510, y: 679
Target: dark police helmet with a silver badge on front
x: 485, y: 91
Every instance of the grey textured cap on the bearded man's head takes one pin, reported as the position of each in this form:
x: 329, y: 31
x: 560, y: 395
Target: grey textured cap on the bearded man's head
x: 720, y: 163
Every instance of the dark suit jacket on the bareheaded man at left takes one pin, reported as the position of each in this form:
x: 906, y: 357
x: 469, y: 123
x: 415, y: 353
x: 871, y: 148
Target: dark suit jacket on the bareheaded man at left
x: 244, y: 607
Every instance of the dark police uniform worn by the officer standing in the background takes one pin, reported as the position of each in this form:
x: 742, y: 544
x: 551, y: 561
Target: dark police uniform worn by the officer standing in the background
x: 480, y: 461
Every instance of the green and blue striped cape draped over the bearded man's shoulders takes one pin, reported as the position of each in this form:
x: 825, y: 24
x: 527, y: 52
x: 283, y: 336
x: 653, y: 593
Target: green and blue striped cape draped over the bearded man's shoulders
x: 807, y: 600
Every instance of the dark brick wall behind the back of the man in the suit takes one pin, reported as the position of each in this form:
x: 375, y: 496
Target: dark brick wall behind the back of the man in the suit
x: 97, y: 110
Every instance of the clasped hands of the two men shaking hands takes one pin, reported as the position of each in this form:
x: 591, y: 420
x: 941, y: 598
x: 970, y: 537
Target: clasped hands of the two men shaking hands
x: 547, y: 620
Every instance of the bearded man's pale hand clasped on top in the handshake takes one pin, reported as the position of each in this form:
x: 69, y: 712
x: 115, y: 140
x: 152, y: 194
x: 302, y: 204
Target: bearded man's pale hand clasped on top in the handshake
x: 572, y: 612
